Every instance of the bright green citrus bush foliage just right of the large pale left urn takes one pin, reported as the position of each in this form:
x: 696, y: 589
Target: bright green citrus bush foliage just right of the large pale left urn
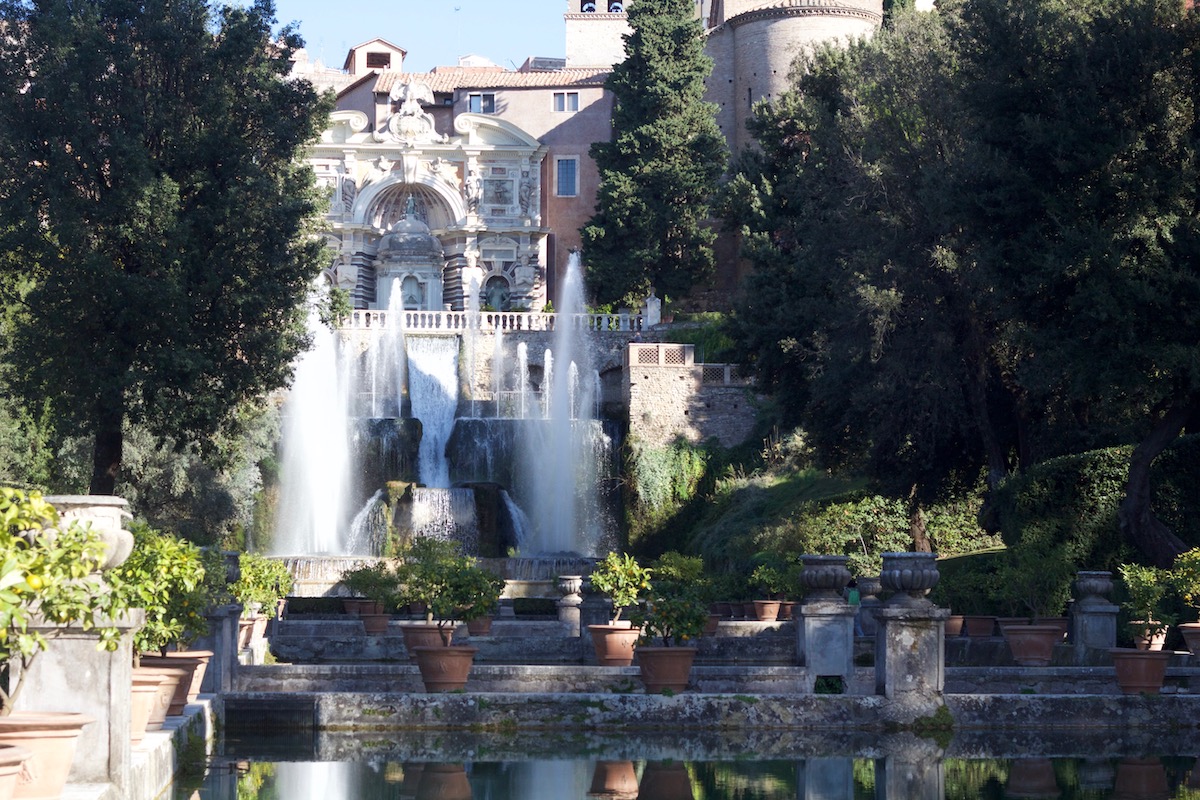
x: 164, y: 576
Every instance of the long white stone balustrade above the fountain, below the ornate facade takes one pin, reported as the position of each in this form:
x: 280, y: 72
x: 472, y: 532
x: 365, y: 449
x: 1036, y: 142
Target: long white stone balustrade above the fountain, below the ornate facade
x: 490, y: 321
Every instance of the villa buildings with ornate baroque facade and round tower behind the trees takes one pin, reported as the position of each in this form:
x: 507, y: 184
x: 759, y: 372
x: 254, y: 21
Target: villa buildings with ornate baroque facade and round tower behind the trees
x: 470, y: 184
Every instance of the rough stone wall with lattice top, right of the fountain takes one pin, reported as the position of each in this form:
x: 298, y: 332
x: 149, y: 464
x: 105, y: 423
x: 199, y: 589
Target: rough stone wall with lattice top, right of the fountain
x: 670, y: 396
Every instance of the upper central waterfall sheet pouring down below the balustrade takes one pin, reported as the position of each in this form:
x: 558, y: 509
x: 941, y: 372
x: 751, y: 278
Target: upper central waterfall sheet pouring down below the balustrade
x: 434, y: 396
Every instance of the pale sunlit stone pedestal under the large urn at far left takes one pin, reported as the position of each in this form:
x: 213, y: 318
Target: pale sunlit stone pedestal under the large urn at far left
x: 74, y: 676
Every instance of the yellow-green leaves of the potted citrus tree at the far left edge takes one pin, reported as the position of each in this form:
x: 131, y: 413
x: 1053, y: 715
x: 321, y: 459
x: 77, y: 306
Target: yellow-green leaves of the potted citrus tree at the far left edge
x: 47, y: 573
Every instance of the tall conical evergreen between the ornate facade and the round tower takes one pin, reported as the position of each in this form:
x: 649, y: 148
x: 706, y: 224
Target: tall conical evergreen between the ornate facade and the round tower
x: 661, y: 170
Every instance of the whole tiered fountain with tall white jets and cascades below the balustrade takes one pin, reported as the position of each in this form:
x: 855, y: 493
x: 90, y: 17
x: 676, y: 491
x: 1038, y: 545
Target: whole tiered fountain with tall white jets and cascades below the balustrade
x: 523, y: 443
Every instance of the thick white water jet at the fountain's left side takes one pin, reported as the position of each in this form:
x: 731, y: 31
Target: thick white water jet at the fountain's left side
x: 315, y: 474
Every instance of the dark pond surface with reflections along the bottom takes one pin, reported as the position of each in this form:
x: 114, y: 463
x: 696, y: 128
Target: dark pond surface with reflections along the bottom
x: 901, y: 767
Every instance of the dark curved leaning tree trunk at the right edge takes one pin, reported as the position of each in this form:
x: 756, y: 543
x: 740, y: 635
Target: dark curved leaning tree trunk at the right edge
x: 1139, y: 525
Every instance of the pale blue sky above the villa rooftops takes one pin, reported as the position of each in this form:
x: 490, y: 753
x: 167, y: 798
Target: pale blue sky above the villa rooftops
x: 431, y: 32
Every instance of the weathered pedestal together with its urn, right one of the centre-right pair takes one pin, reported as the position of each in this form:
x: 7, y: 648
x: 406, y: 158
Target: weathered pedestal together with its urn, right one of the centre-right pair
x: 910, y: 642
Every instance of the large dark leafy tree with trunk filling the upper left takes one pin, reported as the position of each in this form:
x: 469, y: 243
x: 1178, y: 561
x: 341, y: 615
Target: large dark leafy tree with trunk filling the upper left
x: 158, y: 221
